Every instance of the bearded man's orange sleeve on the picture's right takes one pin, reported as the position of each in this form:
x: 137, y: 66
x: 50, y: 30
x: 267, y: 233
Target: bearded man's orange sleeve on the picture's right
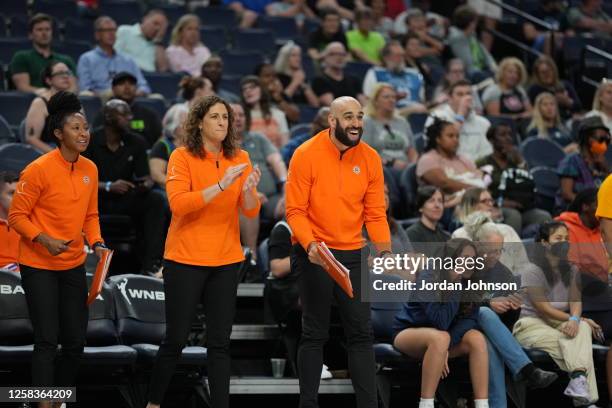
x: 375, y: 216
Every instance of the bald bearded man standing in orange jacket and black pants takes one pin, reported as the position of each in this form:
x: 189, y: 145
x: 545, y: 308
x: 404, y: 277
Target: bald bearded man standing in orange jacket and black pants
x: 335, y: 185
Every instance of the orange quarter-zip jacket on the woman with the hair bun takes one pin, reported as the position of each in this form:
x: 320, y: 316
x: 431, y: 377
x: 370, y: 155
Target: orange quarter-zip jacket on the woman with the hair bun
x: 60, y: 199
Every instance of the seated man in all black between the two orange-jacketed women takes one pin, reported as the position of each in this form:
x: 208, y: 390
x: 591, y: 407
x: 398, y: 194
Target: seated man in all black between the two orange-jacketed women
x: 125, y: 182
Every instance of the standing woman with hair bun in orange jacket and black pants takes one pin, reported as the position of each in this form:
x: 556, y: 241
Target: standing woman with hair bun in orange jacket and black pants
x: 55, y: 204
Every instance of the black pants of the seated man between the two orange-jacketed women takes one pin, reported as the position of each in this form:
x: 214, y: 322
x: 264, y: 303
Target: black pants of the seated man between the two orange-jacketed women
x: 148, y: 212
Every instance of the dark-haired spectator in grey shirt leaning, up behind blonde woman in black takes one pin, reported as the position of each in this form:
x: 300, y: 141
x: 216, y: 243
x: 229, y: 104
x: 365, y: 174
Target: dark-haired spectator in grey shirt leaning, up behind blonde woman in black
x: 465, y: 45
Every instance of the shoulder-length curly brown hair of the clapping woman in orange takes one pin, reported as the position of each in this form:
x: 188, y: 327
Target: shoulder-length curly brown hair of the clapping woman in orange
x: 194, y: 141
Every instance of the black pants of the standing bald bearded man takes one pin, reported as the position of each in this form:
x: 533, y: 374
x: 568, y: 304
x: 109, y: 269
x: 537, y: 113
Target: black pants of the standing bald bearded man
x: 317, y: 290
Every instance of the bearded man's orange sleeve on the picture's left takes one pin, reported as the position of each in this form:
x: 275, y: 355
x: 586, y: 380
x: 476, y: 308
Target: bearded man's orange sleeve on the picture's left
x: 297, y: 188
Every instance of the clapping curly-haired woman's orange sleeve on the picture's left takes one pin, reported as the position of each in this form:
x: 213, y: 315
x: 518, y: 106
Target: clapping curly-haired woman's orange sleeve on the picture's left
x: 178, y: 186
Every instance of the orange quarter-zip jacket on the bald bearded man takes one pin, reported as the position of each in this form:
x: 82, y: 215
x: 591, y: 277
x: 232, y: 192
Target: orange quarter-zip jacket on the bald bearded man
x: 332, y: 194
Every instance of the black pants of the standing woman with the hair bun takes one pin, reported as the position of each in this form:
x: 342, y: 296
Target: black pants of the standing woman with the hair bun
x: 58, y: 311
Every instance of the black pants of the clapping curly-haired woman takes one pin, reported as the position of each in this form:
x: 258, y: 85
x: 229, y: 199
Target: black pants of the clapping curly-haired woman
x: 186, y: 286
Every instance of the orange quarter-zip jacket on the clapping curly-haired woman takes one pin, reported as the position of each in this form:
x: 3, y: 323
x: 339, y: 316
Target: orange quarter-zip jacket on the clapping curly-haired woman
x: 205, y: 233
